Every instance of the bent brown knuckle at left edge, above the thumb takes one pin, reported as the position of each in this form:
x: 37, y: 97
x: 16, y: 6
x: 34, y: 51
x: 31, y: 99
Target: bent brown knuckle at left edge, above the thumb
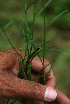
x: 10, y: 61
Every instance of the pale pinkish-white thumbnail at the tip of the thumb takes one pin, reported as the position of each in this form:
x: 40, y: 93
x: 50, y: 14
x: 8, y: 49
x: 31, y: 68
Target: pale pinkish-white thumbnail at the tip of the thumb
x: 50, y: 94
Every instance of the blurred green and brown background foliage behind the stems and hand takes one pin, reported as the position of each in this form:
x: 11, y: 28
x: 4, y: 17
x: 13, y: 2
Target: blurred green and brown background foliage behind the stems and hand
x: 59, y: 33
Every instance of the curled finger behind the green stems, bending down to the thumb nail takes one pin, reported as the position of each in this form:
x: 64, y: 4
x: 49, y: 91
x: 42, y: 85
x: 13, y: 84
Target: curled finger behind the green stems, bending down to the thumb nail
x: 37, y: 67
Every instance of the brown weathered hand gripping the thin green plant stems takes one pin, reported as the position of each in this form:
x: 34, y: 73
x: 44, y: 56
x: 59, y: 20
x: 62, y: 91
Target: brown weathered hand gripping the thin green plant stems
x: 12, y: 87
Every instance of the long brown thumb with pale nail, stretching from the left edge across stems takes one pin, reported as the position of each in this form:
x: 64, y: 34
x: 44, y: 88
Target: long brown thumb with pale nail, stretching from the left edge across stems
x: 13, y: 87
